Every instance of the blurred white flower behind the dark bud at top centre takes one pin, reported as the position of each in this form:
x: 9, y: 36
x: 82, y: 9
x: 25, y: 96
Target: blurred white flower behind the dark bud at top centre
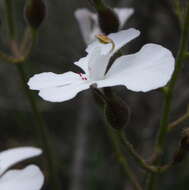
x: 88, y: 22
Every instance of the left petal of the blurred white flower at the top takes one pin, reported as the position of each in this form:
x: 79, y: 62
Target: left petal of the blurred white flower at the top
x: 87, y: 24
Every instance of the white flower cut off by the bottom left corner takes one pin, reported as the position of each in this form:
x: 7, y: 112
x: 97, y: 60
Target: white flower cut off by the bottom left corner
x: 29, y: 178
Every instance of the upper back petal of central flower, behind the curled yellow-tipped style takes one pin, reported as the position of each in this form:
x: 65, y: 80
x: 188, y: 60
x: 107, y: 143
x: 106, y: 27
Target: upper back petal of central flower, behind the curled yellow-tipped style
x: 120, y: 39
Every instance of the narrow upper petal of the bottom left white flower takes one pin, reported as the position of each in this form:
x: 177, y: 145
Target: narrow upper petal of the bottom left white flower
x: 12, y: 156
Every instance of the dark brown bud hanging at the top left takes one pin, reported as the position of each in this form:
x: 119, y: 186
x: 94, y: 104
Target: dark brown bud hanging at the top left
x: 35, y: 12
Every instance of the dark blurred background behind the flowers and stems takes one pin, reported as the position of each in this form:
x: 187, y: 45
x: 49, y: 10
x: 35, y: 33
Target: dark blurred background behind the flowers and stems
x: 82, y: 149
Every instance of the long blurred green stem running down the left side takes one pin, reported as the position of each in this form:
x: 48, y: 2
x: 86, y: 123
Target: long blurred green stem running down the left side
x: 40, y: 125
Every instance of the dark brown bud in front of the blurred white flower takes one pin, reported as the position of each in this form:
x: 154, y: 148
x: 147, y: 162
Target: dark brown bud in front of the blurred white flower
x: 107, y: 18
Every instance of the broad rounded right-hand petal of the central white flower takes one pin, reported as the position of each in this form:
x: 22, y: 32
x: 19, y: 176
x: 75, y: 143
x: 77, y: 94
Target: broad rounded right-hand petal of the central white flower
x: 150, y: 68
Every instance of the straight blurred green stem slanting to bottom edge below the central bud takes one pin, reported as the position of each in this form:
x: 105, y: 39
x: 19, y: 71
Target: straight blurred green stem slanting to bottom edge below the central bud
x: 122, y: 159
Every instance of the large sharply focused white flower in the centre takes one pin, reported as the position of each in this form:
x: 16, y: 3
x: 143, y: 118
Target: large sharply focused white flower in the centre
x: 148, y: 69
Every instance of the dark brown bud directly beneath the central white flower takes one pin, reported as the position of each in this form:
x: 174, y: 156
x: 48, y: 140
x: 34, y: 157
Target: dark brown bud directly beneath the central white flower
x: 116, y: 110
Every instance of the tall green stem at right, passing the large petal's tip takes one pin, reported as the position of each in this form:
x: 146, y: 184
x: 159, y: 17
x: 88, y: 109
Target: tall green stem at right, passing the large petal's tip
x: 160, y: 144
